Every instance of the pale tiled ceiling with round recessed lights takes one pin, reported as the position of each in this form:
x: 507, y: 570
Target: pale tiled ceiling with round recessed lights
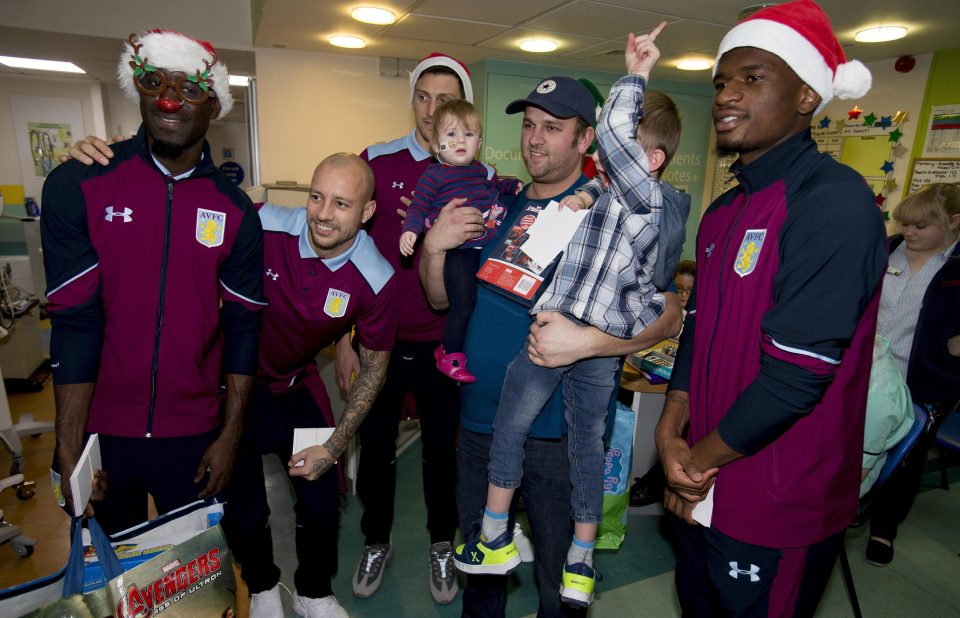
x: 591, y: 33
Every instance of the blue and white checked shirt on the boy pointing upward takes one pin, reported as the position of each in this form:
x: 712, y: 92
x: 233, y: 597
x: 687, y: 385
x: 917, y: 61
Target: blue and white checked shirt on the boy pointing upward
x: 604, y: 276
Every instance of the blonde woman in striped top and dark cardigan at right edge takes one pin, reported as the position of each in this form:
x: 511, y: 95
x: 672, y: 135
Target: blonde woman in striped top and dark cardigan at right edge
x: 920, y: 316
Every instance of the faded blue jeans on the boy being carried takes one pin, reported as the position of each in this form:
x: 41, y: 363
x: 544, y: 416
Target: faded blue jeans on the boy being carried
x: 587, y: 386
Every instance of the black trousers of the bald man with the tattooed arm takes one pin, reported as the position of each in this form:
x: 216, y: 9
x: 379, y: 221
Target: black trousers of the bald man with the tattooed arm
x: 268, y: 429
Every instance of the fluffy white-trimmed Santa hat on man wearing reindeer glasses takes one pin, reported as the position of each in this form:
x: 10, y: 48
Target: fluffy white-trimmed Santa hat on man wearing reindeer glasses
x: 170, y: 50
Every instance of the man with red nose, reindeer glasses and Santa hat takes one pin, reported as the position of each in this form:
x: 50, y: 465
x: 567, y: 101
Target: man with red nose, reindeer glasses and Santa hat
x: 148, y: 260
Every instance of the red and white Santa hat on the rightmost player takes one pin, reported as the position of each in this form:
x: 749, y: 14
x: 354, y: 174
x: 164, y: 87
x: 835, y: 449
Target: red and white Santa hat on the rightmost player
x: 800, y: 34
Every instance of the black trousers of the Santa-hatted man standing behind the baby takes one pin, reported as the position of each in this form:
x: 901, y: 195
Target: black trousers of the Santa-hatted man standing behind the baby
x: 412, y: 368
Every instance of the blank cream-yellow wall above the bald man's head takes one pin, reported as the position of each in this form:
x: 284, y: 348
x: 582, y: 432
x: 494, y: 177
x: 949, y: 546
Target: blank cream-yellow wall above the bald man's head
x: 311, y: 105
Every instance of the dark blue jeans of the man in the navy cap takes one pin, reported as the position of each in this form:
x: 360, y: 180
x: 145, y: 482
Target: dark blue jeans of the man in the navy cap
x: 545, y: 492
